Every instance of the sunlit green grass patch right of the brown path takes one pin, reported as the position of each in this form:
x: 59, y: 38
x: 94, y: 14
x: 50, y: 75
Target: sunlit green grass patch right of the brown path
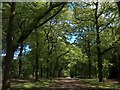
x: 107, y: 84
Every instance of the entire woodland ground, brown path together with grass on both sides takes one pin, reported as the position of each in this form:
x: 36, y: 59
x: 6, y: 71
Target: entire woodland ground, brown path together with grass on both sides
x: 63, y: 84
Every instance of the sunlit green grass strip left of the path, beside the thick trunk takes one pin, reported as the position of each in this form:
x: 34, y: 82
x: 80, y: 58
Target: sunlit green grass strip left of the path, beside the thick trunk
x: 28, y: 85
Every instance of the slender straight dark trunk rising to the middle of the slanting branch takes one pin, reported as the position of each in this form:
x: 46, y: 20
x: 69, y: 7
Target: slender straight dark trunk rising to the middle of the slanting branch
x: 37, y: 58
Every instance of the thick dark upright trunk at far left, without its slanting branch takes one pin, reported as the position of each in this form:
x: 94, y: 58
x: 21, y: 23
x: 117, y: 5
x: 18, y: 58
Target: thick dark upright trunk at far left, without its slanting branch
x: 9, y: 52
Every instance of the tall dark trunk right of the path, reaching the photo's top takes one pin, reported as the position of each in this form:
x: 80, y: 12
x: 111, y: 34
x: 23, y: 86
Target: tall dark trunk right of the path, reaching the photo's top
x: 99, y: 54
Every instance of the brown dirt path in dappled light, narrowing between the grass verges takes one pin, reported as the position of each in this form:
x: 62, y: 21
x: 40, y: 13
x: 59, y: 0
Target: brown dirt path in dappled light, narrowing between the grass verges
x: 69, y: 84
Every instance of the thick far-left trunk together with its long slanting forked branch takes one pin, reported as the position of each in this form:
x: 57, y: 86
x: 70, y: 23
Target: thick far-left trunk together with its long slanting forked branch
x: 10, y: 47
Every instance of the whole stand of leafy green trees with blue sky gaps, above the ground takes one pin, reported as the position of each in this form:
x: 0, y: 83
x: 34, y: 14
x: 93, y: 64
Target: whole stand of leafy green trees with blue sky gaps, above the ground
x: 58, y: 39
